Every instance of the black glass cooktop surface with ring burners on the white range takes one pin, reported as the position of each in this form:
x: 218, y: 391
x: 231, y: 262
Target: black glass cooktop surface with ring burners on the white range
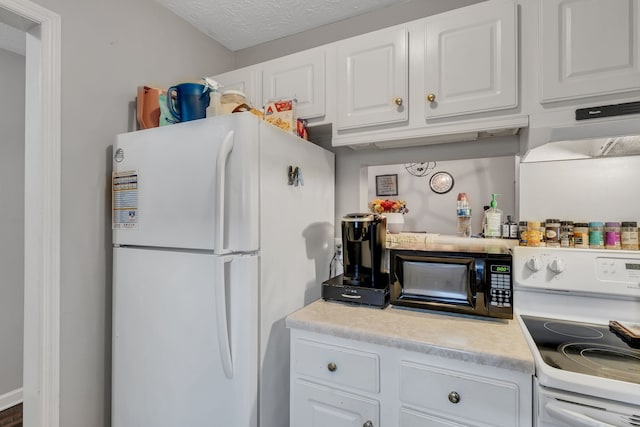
x: 584, y: 348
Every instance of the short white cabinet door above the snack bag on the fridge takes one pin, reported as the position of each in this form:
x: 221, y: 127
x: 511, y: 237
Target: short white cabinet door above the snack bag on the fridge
x: 300, y: 76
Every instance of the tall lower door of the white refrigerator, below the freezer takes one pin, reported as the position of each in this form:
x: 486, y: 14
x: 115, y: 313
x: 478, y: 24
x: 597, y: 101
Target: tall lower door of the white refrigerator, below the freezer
x: 185, y: 343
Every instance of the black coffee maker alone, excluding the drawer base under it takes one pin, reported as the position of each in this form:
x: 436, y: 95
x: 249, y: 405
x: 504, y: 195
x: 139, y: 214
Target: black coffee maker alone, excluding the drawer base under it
x: 363, y: 240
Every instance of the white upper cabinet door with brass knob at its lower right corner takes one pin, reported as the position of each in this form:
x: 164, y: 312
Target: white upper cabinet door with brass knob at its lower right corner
x: 372, y: 79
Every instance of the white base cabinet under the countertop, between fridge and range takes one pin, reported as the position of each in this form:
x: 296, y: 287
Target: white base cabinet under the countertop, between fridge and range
x: 342, y: 382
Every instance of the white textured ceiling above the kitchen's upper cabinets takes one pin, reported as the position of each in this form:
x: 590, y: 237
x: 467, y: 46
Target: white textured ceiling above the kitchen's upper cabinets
x: 245, y: 23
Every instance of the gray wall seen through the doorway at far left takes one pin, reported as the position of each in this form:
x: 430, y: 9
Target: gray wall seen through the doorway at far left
x: 12, y: 67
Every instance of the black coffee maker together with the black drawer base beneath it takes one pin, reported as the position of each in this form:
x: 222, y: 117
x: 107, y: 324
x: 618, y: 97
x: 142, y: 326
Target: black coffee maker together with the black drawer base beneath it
x: 364, y: 280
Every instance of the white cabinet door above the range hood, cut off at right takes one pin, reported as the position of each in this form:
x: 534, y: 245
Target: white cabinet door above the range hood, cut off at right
x: 589, y: 47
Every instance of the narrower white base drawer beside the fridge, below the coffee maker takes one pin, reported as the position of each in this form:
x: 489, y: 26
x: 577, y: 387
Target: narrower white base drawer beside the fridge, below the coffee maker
x: 337, y: 365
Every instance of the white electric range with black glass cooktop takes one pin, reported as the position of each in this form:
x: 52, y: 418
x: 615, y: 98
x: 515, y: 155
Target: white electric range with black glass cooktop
x: 586, y: 375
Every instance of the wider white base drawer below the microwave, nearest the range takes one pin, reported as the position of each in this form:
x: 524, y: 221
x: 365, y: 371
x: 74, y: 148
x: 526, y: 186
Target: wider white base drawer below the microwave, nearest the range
x: 458, y: 395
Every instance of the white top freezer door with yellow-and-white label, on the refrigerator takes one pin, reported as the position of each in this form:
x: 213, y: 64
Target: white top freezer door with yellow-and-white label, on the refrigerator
x: 191, y: 185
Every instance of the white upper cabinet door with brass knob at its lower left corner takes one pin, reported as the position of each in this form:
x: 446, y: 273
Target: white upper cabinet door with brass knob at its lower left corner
x: 471, y: 60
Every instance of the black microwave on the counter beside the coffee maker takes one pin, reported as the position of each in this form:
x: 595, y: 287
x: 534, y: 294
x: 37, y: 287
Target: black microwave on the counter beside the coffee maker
x: 469, y: 282
